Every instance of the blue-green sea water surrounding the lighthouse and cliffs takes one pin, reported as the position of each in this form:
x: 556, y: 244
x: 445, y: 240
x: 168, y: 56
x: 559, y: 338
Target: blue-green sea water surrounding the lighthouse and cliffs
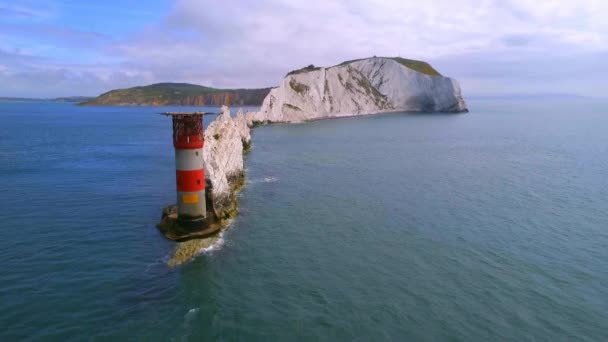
x: 491, y: 225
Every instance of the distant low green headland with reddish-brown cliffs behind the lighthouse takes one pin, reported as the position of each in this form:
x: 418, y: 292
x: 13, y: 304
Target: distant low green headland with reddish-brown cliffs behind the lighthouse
x: 161, y: 94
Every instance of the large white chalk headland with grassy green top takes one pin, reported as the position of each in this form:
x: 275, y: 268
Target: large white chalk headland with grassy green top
x: 366, y: 86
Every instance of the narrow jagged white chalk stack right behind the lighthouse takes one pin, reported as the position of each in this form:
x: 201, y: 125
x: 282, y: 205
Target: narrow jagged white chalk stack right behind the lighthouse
x: 225, y: 139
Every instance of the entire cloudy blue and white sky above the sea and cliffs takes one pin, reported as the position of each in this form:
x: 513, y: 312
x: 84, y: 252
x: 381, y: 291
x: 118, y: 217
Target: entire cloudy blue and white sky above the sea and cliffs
x: 57, y: 48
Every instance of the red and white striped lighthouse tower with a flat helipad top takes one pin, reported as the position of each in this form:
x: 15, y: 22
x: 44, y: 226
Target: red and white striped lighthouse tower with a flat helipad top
x: 188, y: 141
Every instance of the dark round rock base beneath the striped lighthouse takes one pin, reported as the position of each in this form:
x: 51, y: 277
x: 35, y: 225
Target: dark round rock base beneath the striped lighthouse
x: 173, y: 229
